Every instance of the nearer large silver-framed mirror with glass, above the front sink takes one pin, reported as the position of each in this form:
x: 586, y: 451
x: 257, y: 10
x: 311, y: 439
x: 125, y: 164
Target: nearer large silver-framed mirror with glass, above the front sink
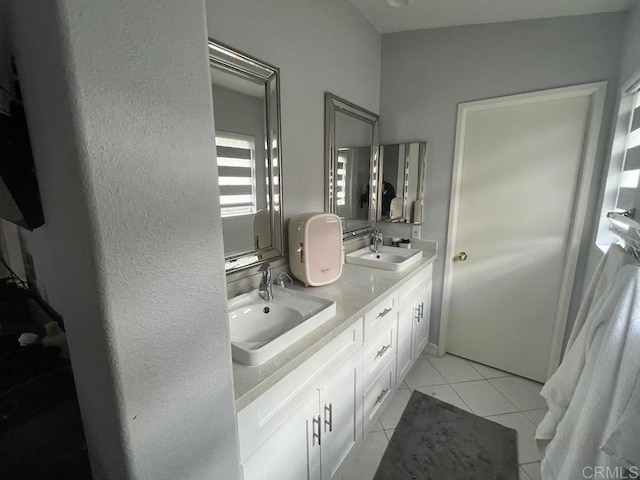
x: 246, y: 98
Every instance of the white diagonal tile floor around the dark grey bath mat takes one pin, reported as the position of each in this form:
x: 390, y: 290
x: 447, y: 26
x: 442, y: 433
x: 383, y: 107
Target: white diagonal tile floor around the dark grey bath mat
x: 499, y: 396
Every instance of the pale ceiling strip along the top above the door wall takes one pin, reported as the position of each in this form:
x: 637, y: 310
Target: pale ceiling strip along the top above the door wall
x: 445, y: 13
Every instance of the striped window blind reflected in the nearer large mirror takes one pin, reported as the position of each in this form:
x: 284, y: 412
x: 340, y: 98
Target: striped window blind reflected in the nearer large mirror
x: 236, y: 173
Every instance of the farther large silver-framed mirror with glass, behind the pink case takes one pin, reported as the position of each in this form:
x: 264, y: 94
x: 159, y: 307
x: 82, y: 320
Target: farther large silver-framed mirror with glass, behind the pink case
x: 351, y: 158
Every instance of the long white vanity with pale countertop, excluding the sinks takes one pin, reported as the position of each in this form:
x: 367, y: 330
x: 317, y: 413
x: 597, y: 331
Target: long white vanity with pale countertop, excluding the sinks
x: 303, y: 412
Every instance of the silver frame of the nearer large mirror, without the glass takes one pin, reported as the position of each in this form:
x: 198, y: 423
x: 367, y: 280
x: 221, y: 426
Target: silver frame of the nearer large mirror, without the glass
x: 230, y: 59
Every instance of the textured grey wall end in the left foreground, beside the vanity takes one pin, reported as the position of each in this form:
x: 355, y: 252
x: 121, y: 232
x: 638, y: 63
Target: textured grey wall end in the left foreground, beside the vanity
x: 120, y: 114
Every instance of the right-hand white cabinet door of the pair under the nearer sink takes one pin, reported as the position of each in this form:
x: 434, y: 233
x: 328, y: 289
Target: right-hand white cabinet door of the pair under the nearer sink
x: 341, y: 413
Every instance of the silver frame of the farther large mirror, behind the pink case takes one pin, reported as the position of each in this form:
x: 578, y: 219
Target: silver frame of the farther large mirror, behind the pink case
x: 333, y: 105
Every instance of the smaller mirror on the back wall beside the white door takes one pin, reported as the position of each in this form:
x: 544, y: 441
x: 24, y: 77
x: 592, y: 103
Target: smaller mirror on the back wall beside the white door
x: 402, y: 169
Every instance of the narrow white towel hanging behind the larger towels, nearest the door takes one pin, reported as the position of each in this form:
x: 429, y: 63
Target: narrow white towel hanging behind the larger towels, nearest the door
x: 599, y: 286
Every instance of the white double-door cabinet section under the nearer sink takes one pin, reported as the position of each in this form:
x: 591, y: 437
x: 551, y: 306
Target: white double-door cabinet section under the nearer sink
x: 306, y: 425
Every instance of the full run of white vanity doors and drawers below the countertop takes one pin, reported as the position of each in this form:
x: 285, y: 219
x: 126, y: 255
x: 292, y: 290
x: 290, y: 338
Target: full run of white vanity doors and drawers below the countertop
x: 304, y: 426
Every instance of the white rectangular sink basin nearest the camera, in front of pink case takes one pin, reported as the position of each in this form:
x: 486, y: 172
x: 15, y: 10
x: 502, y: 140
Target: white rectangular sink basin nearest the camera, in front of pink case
x: 260, y: 329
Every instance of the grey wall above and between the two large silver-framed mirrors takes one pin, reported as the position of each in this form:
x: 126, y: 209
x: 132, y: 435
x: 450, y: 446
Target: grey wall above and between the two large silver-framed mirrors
x: 319, y: 46
